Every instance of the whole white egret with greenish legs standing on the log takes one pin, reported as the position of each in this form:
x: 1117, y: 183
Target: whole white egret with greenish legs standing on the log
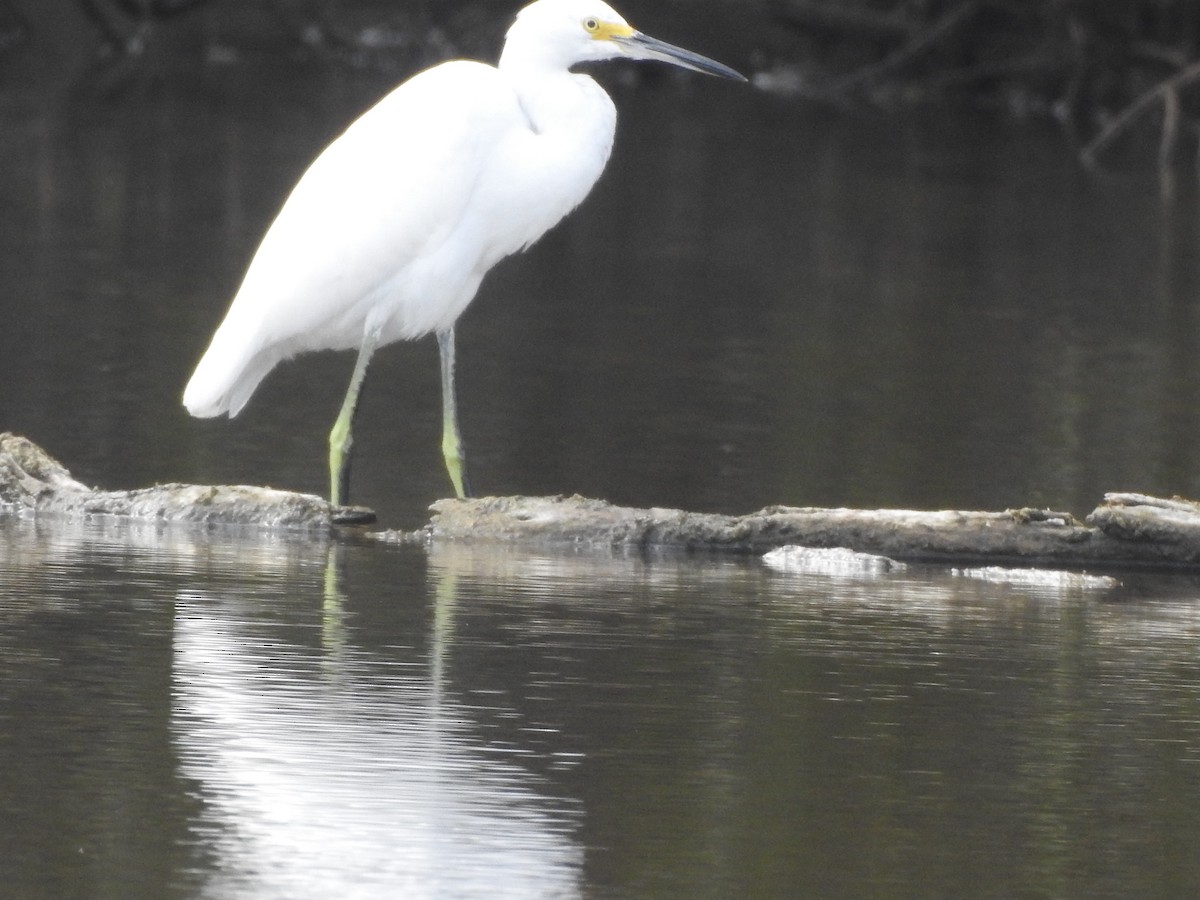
x: 392, y: 230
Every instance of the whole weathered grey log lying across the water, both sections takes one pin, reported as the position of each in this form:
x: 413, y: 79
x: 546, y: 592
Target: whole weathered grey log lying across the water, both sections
x: 1126, y: 531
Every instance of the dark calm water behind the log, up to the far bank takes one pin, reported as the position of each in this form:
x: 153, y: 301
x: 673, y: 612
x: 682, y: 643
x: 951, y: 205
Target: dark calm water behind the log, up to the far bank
x: 760, y: 304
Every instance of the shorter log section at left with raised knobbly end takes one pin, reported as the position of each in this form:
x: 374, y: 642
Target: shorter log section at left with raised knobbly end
x: 33, y: 481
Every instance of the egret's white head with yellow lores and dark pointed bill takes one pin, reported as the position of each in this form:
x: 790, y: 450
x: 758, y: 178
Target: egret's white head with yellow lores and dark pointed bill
x: 562, y: 33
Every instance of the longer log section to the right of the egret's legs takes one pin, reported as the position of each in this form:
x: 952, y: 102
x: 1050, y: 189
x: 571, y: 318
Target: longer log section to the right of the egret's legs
x: 1129, y: 531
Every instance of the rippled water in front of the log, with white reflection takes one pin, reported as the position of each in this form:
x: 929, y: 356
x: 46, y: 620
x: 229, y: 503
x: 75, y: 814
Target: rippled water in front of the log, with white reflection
x: 207, y: 716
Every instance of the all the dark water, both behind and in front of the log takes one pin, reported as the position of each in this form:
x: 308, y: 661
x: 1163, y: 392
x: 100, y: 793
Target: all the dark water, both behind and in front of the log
x: 760, y: 304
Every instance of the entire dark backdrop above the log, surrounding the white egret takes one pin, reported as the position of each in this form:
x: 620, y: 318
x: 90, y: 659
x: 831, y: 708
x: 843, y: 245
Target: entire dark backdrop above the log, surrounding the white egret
x: 881, y: 275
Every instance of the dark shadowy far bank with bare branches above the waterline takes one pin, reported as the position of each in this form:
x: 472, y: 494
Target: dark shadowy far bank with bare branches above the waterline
x: 1079, y: 63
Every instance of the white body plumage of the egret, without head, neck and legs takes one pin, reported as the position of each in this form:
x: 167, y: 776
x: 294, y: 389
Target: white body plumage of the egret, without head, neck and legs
x: 394, y: 230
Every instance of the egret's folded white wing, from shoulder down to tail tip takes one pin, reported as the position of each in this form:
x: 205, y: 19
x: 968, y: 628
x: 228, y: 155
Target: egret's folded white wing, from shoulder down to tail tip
x: 385, y: 195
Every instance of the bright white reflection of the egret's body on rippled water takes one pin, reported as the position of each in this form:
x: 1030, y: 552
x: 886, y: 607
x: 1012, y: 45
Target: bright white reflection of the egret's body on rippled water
x: 327, y: 776
